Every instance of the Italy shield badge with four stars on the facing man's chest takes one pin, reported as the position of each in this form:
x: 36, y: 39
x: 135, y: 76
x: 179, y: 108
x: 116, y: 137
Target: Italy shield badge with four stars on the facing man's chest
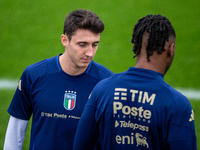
x: 69, y: 100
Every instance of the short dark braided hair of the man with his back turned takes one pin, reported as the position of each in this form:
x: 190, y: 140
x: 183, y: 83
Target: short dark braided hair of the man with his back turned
x: 159, y: 29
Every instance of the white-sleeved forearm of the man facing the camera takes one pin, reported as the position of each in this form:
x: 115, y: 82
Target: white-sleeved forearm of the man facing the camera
x: 15, y: 134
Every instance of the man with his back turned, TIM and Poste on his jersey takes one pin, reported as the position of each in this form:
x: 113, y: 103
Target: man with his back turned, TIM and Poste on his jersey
x: 137, y: 109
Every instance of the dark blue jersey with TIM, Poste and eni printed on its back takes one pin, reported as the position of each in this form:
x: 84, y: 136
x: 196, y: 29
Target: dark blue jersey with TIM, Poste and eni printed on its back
x: 137, y: 110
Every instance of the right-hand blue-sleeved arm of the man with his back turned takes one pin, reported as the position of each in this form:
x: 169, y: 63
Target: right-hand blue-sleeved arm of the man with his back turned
x: 181, y: 132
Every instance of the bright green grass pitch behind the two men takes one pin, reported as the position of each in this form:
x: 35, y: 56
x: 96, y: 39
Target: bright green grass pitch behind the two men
x: 30, y: 31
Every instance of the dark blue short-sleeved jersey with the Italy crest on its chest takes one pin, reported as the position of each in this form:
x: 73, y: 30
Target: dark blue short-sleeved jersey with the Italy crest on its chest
x: 55, y: 100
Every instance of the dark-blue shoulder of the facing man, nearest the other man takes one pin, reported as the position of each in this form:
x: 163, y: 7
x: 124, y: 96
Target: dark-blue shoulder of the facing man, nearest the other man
x: 99, y: 71
